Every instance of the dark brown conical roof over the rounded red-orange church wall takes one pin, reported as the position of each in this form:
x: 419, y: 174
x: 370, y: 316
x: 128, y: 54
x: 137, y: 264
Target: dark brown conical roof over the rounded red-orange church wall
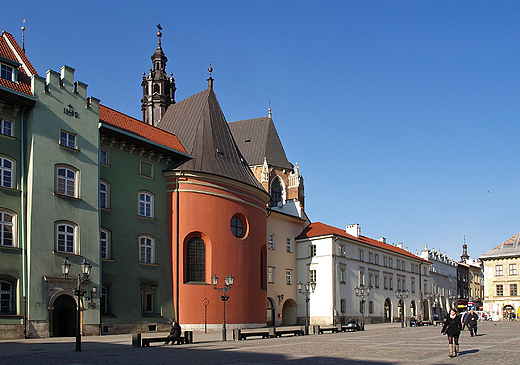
x: 199, y: 123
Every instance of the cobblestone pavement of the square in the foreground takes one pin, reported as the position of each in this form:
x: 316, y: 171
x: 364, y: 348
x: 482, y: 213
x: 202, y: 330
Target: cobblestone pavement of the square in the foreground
x: 497, y: 343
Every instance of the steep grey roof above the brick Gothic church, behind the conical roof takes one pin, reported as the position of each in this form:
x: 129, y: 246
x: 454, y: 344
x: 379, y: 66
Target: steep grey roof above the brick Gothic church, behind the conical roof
x: 258, y: 139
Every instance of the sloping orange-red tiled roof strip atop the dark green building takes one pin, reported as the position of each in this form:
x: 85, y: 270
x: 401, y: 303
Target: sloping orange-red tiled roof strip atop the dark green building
x: 138, y: 128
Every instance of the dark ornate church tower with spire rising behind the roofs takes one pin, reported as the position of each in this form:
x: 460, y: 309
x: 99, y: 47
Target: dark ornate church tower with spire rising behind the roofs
x: 158, y: 88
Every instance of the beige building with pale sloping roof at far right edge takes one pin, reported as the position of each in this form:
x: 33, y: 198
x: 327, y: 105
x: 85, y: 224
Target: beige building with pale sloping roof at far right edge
x: 501, y: 279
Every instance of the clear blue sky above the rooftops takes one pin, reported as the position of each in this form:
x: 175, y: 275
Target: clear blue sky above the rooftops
x: 402, y: 115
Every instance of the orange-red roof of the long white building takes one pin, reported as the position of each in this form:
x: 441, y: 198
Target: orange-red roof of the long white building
x: 320, y: 229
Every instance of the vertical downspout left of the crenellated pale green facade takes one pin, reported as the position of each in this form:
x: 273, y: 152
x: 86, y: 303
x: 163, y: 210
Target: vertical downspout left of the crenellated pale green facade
x: 22, y: 218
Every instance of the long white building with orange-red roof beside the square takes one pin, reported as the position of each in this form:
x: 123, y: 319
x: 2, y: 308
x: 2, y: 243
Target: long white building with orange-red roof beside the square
x: 341, y: 260
